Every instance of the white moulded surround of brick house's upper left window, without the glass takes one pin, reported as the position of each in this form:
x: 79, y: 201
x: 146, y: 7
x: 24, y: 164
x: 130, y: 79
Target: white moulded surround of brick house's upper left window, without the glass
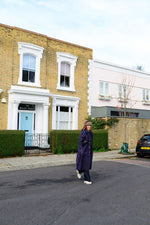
x: 36, y: 51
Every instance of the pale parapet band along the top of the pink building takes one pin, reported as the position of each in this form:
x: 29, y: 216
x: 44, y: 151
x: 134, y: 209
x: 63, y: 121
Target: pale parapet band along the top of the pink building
x: 120, y: 69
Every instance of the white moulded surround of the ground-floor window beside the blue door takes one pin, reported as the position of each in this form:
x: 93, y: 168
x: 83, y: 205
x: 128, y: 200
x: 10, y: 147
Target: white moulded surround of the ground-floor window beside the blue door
x: 59, y: 100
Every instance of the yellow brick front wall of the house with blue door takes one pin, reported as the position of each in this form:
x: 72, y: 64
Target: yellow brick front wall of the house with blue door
x: 10, y: 66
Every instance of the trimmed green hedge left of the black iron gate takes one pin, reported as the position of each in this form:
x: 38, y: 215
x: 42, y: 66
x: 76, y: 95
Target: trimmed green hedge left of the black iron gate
x: 11, y: 142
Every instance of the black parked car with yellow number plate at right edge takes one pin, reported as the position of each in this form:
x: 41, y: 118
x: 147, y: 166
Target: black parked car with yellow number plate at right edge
x: 143, y: 146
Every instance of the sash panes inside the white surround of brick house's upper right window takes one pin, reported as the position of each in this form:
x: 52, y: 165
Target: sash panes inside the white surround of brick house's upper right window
x: 65, y: 75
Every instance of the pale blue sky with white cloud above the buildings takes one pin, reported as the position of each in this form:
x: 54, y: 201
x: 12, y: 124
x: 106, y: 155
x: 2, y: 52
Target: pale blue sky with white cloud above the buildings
x: 118, y: 31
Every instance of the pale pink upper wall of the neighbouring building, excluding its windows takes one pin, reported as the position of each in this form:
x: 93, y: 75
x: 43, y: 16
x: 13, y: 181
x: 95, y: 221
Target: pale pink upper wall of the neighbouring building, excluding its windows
x: 115, y: 75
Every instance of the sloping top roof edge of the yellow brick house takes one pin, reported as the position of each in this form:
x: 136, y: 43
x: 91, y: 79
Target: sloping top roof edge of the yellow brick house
x: 43, y: 35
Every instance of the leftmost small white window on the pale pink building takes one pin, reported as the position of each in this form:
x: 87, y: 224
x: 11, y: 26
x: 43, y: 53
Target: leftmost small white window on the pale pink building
x: 104, y: 90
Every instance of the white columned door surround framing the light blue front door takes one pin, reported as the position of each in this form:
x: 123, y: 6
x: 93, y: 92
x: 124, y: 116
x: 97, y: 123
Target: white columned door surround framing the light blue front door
x: 28, y: 95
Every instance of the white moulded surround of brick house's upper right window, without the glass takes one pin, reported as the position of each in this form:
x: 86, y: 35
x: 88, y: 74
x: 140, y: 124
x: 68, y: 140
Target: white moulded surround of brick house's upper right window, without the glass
x: 71, y: 59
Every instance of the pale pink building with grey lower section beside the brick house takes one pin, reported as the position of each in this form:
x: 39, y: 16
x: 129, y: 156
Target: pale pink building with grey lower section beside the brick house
x: 110, y: 85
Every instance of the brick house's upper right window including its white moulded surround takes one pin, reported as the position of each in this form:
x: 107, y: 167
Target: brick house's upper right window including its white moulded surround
x: 66, y: 71
